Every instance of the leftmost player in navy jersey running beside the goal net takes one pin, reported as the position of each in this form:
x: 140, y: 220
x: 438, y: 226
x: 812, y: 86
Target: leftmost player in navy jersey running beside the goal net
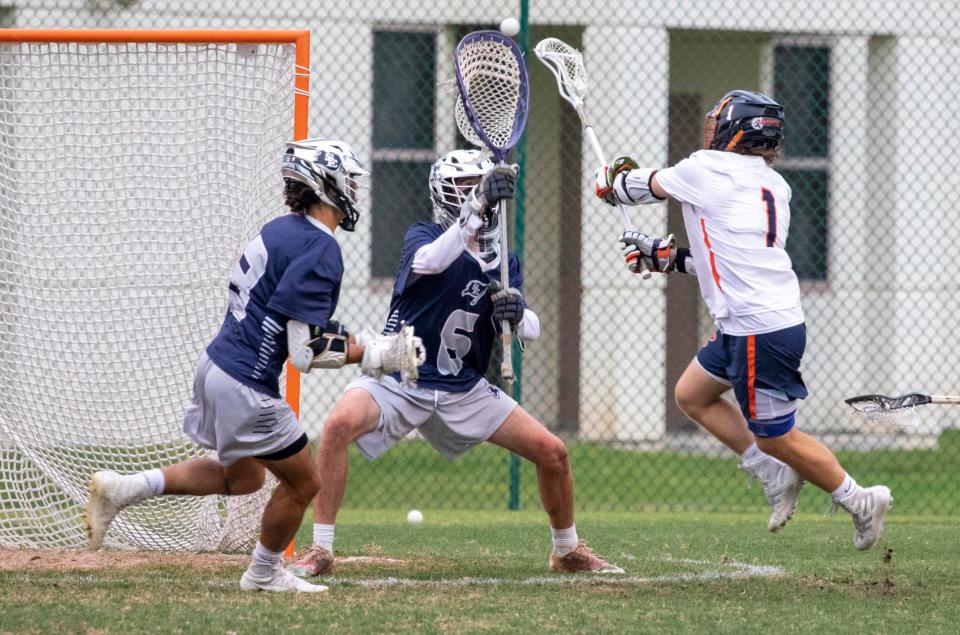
x: 282, y: 295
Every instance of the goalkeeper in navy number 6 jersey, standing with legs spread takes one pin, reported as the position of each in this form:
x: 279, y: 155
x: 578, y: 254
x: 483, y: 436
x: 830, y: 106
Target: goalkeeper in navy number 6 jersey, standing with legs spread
x: 446, y: 287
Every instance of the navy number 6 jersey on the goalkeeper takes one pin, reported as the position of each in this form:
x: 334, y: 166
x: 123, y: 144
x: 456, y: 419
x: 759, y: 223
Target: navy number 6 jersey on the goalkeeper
x: 450, y: 311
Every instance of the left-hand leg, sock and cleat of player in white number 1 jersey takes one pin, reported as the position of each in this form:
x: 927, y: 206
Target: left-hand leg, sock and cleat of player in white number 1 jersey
x: 700, y: 397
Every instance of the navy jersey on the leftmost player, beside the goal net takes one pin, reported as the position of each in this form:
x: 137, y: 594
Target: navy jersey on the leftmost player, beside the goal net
x: 292, y: 269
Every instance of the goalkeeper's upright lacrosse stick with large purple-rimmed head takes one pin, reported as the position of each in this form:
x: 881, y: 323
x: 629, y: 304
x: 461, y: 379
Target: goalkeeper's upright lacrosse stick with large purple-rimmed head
x: 491, y: 112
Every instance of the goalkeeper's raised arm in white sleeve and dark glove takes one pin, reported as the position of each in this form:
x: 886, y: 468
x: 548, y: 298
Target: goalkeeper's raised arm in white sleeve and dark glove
x: 496, y: 185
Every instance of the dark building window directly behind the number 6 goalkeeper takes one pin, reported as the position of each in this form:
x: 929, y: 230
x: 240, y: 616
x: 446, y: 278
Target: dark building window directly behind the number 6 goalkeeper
x: 404, y: 101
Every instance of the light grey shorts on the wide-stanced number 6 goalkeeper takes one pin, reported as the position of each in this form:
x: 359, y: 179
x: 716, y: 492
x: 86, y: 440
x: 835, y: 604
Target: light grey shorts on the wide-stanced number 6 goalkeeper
x: 452, y: 422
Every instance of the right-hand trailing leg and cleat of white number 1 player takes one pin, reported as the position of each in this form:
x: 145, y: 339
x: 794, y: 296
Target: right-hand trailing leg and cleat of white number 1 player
x: 818, y: 464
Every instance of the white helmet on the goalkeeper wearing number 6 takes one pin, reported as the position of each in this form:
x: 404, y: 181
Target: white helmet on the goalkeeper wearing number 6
x: 452, y: 177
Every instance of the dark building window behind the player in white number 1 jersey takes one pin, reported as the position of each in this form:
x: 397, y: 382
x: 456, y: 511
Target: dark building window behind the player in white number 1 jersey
x: 801, y: 82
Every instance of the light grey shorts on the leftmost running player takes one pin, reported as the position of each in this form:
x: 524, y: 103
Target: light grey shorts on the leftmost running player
x: 236, y: 420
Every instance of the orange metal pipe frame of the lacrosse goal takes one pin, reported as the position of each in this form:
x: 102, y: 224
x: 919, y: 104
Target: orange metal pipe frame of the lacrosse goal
x: 300, y: 40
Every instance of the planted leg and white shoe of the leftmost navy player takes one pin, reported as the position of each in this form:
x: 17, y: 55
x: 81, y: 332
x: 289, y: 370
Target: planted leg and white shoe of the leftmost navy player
x: 279, y: 524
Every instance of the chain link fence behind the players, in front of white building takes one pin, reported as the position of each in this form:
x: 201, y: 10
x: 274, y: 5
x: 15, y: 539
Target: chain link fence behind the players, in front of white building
x: 869, y: 89
